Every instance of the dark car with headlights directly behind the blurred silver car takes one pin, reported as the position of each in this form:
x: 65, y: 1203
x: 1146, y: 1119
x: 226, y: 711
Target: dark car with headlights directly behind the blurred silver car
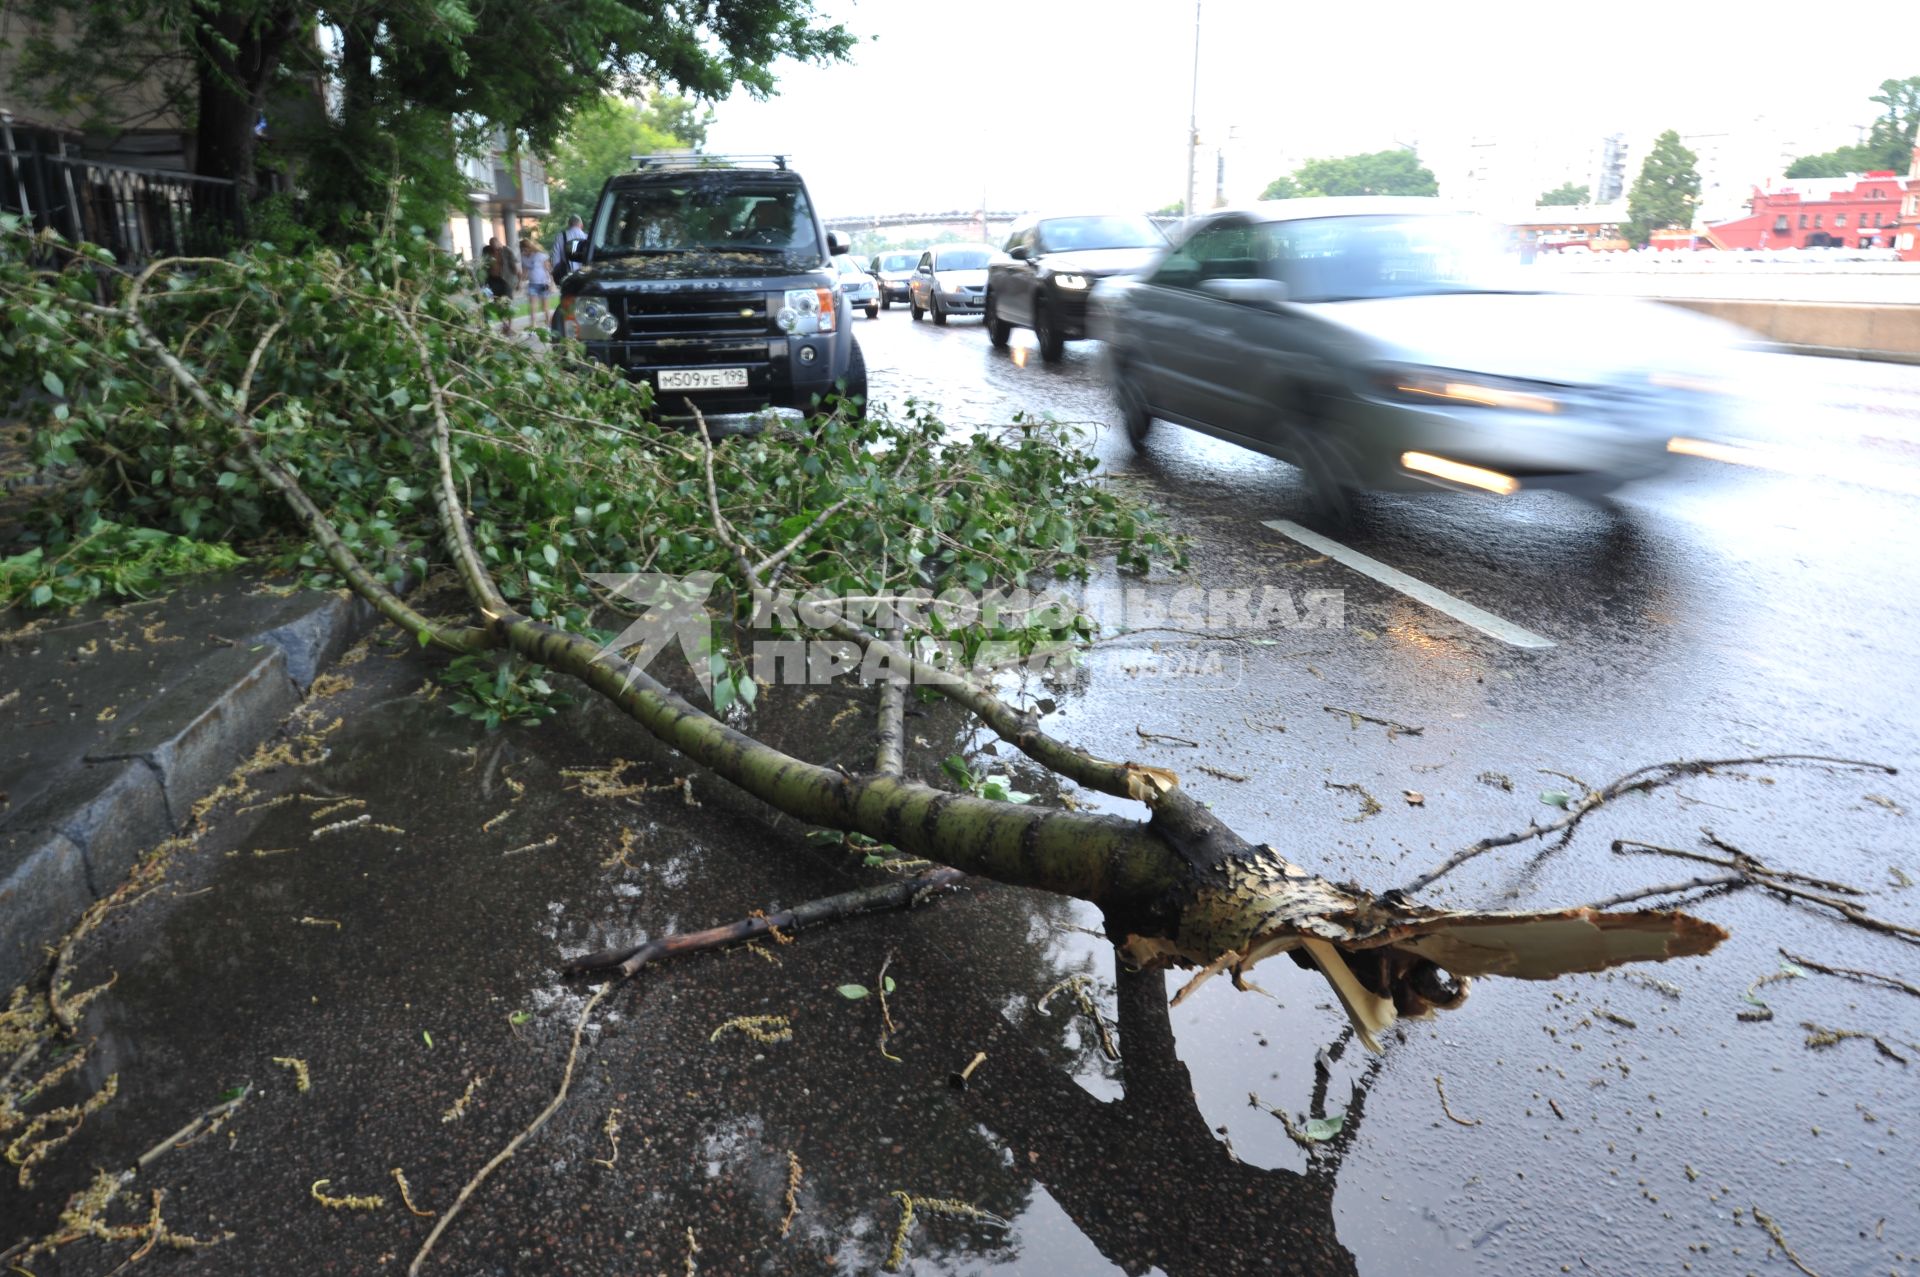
x: 1051, y: 266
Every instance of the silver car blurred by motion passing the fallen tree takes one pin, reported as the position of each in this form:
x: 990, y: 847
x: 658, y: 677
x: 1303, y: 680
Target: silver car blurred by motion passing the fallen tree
x: 1383, y: 345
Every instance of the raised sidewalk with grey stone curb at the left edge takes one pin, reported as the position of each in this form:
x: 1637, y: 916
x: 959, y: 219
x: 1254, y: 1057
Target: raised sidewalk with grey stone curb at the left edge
x: 116, y: 719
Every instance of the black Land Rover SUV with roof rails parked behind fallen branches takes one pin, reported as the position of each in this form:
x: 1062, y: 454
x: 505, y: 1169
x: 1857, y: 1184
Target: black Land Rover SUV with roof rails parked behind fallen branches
x: 709, y: 279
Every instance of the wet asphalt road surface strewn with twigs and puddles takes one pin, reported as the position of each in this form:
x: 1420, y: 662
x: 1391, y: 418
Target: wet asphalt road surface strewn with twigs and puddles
x: 1620, y: 1124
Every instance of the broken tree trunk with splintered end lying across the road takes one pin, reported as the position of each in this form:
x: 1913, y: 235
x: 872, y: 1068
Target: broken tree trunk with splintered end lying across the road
x: 1178, y: 888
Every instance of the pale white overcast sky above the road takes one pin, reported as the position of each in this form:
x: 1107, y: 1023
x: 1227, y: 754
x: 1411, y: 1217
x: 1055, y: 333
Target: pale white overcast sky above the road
x: 1049, y: 103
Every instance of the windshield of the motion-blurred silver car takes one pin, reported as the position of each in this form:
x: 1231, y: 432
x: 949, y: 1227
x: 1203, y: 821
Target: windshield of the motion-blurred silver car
x: 1351, y: 258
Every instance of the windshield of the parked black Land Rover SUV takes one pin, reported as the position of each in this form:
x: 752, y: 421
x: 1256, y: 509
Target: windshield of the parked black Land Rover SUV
x: 719, y: 212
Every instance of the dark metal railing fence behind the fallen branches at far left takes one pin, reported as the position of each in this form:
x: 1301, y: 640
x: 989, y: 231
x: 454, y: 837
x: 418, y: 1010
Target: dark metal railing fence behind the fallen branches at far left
x: 135, y: 214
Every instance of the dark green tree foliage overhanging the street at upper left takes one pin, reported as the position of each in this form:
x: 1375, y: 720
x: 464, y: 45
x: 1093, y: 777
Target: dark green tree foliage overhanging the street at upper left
x: 404, y: 74
